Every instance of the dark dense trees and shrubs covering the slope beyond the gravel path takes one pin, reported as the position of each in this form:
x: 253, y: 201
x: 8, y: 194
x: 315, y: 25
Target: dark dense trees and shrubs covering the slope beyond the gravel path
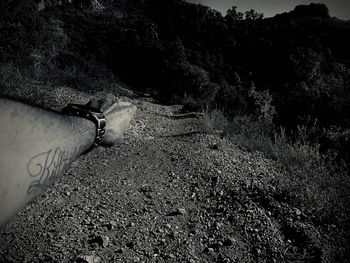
x: 289, y: 71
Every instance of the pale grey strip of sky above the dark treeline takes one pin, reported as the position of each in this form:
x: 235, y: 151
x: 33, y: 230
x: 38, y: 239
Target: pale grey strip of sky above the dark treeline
x: 338, y: 8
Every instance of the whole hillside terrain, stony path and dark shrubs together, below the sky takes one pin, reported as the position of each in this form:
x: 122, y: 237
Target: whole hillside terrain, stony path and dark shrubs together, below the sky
x: 261, y: 174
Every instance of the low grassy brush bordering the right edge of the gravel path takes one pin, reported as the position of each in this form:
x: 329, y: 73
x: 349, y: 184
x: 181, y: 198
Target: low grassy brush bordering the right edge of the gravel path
x: 309, y: 180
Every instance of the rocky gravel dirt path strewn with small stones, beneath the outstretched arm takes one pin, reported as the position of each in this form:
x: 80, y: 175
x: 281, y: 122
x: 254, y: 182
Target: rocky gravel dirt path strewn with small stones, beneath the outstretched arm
x: 170, y: 193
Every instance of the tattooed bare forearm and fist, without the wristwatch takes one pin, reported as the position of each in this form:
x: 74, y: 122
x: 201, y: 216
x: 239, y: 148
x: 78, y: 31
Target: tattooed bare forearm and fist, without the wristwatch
x: 38, y: 146
